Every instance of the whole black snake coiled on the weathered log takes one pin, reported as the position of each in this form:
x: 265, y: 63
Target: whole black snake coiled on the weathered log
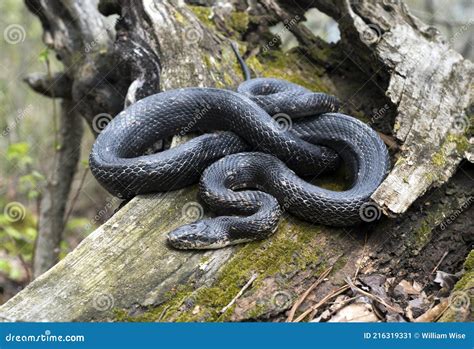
x: 250, y: 169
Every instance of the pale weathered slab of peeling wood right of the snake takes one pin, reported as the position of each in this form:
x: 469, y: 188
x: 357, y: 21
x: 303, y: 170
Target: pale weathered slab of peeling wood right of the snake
x: 429, y: 83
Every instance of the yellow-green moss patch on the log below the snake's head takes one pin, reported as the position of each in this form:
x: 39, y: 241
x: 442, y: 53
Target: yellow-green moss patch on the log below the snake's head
x: 293, y: 248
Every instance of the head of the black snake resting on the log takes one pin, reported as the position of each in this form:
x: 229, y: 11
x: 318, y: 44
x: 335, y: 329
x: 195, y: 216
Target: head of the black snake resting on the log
x: 198, y: 235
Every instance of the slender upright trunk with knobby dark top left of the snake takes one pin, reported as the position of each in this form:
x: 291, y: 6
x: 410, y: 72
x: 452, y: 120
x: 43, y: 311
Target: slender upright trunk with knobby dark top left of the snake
x: 74, y: 44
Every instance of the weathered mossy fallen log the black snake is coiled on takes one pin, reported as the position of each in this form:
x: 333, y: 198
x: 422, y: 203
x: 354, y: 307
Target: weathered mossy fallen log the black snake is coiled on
x: 125, y: 270
